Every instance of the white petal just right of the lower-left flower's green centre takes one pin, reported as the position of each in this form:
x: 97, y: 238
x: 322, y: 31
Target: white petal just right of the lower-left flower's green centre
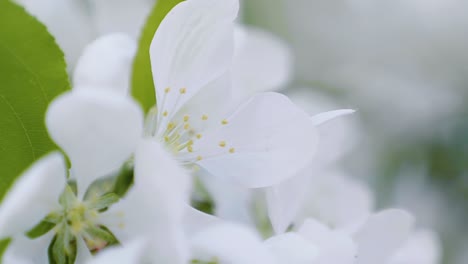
x: 154, y: 208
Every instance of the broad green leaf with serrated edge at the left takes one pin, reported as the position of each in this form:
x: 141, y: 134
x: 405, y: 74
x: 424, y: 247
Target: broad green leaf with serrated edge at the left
x: 32, y: 73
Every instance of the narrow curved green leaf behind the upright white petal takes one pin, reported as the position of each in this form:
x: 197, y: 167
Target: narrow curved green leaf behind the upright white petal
x: 142, y: 79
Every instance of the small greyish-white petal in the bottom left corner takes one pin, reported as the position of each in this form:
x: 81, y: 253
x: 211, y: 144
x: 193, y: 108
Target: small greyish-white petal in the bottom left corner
x: 23, y: 250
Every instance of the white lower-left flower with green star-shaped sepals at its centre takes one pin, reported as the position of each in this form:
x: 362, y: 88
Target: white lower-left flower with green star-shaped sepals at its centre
x: 98, y: 126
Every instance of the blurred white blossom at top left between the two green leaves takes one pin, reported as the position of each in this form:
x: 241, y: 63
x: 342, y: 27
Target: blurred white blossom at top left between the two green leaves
x: 88, y: 20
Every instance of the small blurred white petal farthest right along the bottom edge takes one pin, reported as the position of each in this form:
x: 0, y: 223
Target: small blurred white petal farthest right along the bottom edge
x: 423, y: 247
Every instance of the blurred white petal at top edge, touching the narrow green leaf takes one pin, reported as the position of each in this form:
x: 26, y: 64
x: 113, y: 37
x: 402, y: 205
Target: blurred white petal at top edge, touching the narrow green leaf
x: 121, y: 15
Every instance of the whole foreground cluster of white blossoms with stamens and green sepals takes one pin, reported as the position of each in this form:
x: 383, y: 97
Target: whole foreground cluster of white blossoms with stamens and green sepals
x: 128, y: 186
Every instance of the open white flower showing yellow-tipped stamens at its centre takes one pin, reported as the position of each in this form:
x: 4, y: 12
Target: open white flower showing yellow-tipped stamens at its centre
x: 267, y: 139
